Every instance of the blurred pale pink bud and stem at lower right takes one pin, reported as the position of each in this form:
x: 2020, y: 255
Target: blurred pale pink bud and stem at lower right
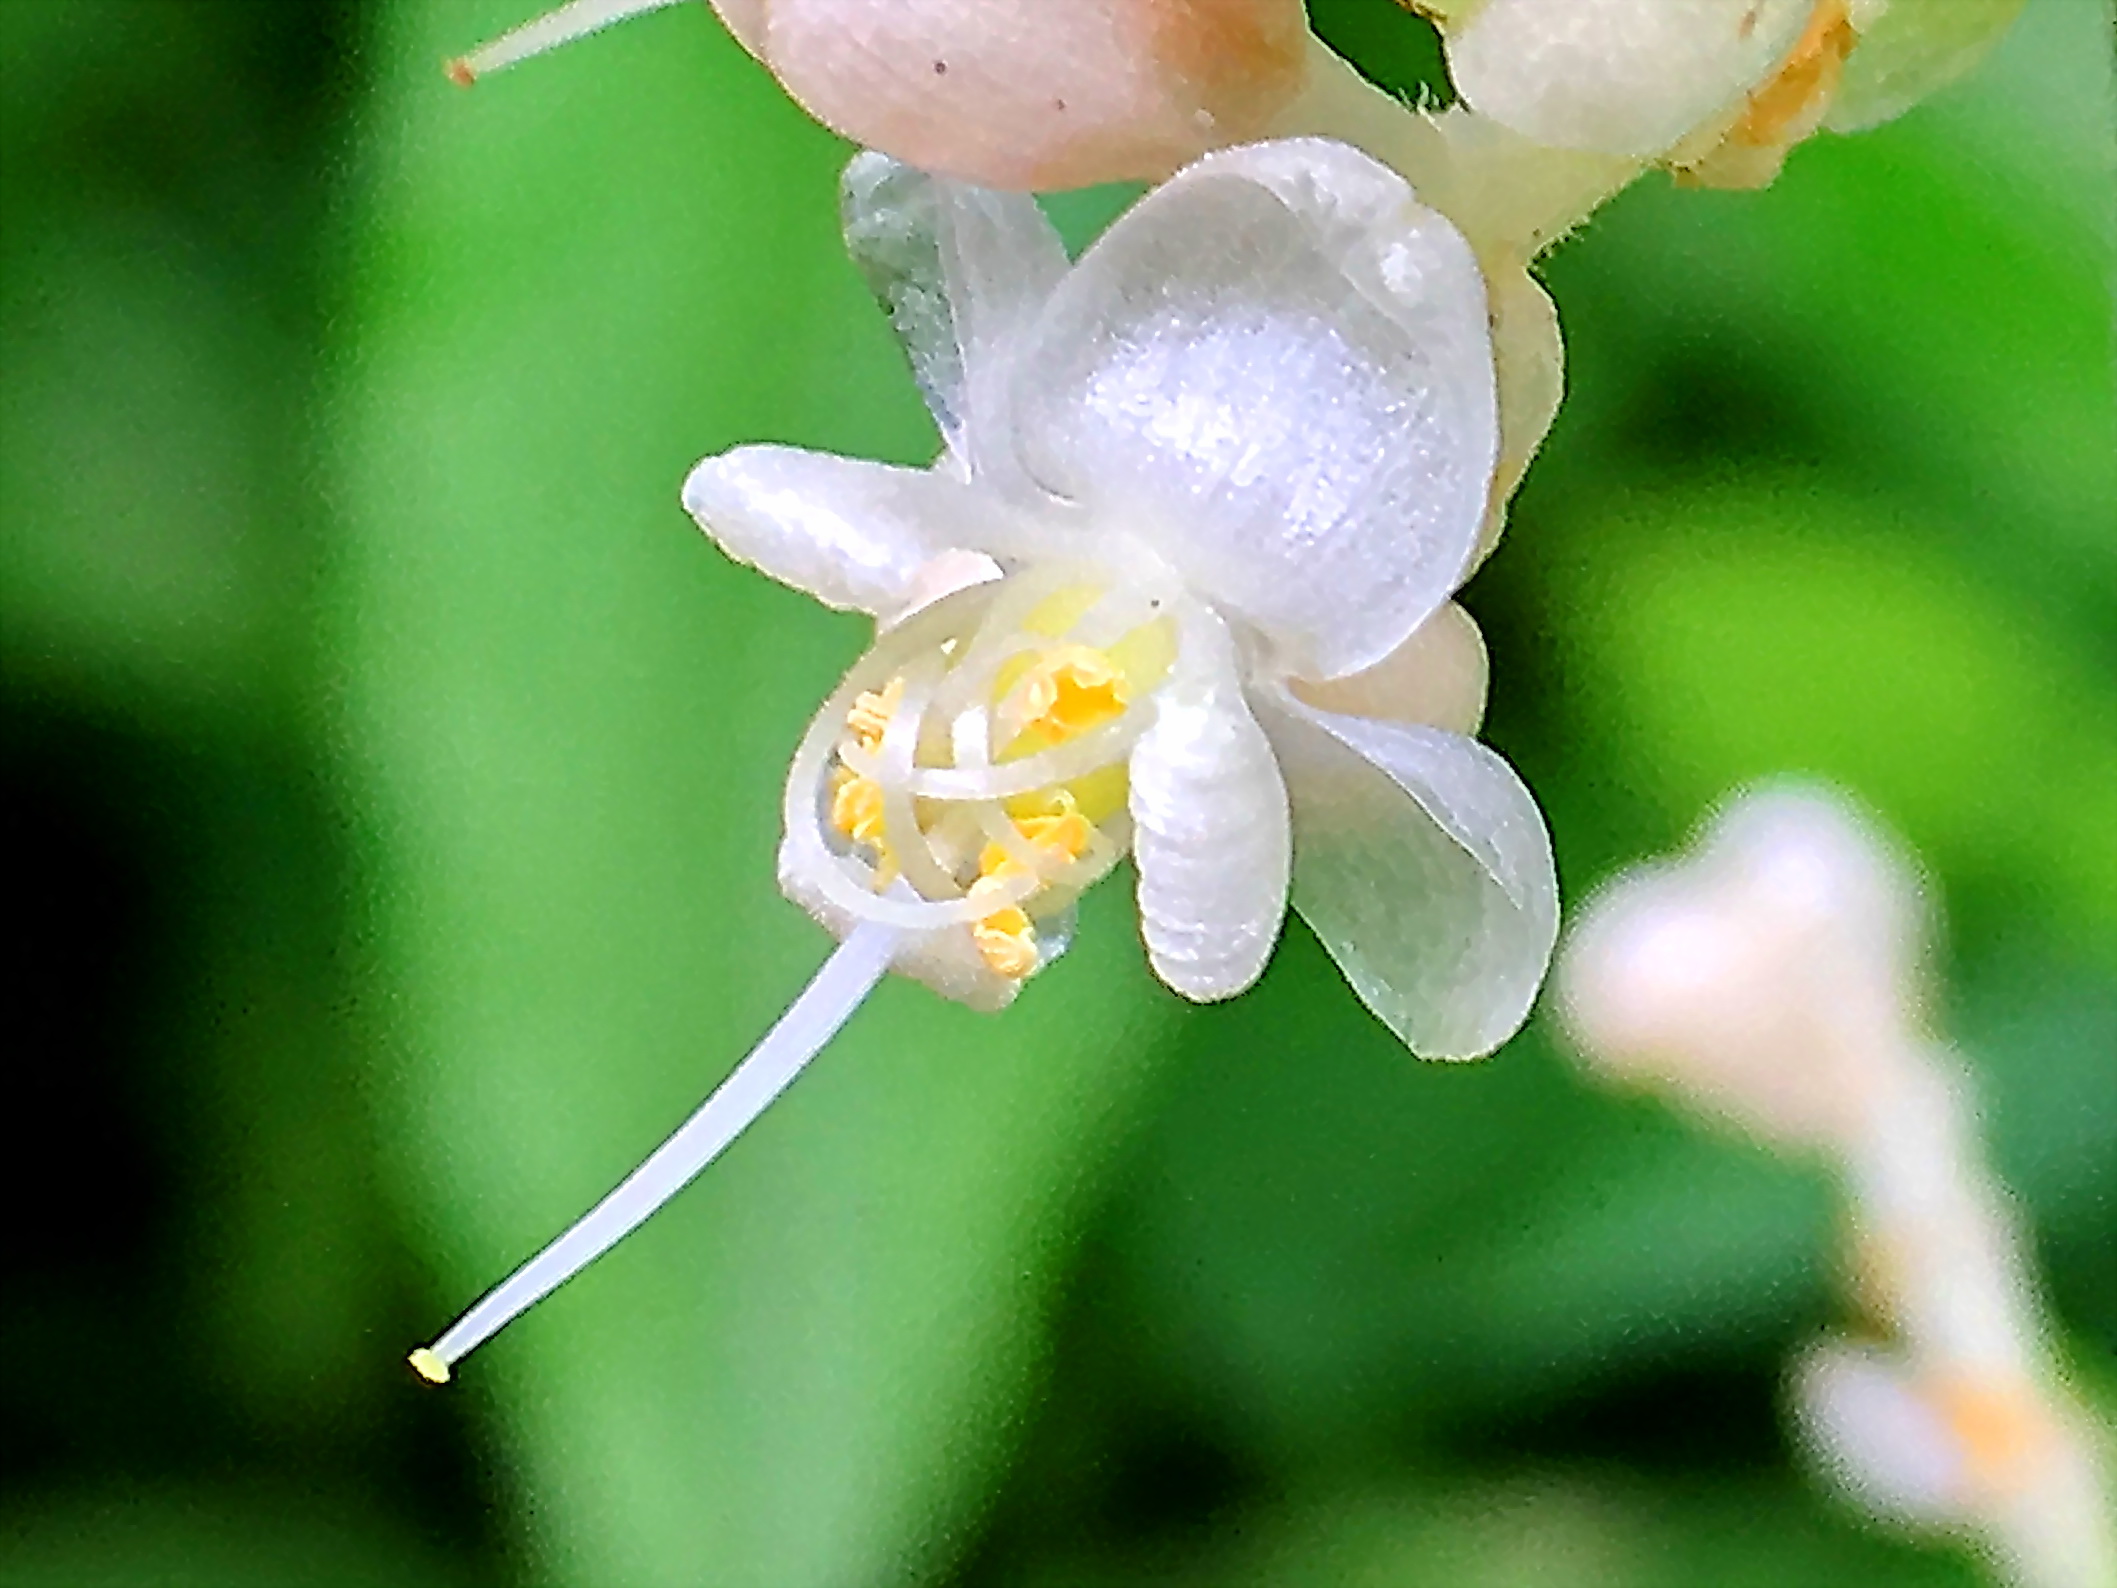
x: 1773, y: 981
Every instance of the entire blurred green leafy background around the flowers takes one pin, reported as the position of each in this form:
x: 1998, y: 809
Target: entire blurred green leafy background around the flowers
x: 393, y: 789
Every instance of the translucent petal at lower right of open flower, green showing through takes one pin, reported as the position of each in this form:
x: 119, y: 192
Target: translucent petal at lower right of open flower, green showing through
x: 1424, y: 867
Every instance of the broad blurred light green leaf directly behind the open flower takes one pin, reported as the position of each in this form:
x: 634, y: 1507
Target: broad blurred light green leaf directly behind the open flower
x: 573, y: 721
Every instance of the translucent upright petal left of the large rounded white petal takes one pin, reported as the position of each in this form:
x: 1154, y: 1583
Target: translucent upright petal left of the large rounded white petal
x: 960, y: 270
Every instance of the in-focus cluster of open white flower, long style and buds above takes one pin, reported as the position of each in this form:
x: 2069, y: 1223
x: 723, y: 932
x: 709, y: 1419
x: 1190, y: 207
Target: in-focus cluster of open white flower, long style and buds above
x: 1180, y: 583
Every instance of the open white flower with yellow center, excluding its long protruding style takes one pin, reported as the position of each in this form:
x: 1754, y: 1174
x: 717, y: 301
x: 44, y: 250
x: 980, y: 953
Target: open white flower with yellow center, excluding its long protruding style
x: 1214, y: 482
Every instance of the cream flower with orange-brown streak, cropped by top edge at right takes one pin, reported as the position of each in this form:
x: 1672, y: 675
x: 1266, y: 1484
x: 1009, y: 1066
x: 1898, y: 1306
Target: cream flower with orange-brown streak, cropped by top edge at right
x: 1716, y: 88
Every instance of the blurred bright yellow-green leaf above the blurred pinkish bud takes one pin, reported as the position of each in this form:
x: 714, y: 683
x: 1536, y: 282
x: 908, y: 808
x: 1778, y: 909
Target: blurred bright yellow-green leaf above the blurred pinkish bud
x: 1775, y: 632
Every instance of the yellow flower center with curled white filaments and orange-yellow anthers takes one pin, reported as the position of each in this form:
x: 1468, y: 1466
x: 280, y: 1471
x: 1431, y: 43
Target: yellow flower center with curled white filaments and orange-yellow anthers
x: 973, y: 770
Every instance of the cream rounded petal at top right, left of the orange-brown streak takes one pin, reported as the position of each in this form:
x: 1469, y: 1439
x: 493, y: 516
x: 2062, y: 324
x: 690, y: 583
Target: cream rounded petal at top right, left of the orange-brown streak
x: 1621, y: 77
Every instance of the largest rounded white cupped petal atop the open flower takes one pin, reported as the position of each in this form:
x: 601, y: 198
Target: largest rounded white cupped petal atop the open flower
x: 1278, y: 372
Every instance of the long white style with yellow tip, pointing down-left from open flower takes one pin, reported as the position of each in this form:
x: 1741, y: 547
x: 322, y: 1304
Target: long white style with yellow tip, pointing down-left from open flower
x: 816, y: 1017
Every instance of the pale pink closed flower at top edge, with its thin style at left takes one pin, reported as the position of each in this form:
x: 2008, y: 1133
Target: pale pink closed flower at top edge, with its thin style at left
x: 1013, y: 94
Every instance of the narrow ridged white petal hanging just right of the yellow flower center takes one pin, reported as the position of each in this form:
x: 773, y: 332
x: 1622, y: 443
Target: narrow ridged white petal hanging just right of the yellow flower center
x: 1210, y: 842
